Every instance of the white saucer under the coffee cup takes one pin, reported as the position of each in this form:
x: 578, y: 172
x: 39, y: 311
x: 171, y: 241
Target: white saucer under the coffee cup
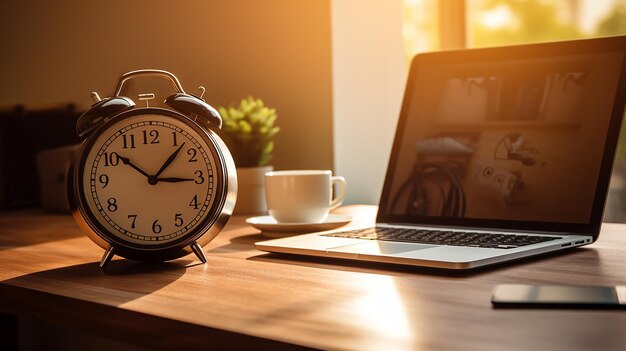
x: 269, y: 224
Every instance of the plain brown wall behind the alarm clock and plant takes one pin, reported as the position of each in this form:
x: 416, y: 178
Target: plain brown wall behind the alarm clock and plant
x: 57, y: 52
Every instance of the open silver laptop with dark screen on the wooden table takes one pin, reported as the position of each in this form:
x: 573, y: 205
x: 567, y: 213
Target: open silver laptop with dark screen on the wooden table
x: 499, y: 154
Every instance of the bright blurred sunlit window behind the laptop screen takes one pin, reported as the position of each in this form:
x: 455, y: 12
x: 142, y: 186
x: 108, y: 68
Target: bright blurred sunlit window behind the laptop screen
x: 447, y: 24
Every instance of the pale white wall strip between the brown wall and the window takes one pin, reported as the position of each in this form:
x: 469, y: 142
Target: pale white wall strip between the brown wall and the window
x: 369, y: 74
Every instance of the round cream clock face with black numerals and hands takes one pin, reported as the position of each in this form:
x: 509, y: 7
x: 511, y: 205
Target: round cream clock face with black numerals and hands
x: 150, y: 179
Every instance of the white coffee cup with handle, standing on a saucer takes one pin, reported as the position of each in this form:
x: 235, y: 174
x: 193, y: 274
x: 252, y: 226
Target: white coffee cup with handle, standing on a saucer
x: 302, y: 196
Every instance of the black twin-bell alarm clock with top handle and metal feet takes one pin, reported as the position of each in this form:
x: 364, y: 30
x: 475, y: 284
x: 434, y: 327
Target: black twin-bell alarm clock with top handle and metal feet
x: 148, y: 183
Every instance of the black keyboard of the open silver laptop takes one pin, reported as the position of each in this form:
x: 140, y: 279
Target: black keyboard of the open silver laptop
x: 442, y: 237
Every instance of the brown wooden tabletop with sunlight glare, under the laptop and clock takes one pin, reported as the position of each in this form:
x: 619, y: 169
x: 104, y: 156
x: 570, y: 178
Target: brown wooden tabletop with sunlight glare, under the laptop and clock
x: 247, y: 299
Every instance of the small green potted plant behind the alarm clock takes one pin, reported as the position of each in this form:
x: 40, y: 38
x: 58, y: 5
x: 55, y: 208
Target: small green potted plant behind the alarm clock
x: 249, y: 133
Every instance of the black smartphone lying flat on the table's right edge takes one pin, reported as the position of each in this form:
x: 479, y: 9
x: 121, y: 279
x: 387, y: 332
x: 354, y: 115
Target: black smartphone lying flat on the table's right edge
x: 558, y: 296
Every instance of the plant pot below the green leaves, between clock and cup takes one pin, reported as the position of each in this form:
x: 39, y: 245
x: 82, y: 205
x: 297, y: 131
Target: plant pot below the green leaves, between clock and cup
x: 251, y: 190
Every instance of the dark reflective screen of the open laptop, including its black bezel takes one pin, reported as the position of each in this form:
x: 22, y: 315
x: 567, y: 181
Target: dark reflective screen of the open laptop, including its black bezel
x: 512, y: 138
